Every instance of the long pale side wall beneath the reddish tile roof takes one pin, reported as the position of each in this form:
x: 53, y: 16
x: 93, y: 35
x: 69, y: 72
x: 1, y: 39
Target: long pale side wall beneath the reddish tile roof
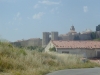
x: 85, y: 52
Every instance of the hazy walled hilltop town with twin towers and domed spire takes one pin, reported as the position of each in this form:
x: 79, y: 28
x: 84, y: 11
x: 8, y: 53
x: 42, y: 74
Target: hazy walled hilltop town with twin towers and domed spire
x: 71, y: 35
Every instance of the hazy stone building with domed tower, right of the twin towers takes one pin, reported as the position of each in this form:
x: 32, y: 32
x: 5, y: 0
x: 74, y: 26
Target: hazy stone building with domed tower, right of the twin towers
x: 73, y: 35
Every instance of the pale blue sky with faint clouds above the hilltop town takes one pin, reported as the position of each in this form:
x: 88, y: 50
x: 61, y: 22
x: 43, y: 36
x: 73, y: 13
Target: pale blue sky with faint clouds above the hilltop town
x: 25, y: 19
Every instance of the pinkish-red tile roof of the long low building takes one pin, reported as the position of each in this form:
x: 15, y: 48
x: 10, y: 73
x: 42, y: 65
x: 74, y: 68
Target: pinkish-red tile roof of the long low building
x: 77, y: 44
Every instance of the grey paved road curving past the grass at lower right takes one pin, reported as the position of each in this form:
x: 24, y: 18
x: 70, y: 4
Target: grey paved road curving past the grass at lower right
x: 88, y: 71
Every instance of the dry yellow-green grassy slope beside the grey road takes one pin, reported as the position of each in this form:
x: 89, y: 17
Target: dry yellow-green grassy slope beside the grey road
x: 15, y: 61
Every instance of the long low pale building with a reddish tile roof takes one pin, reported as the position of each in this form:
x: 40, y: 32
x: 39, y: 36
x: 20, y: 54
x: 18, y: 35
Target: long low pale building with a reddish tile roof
x: 88, y: 49
